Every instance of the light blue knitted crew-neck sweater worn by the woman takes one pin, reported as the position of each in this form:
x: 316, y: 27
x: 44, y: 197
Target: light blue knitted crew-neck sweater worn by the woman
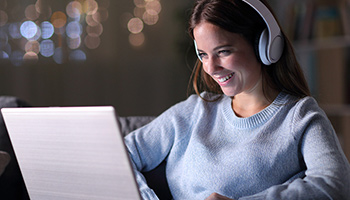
x: 287, y: 151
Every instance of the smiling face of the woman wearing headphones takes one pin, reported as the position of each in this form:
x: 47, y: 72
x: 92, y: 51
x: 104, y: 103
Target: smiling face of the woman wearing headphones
x: 228, y: 58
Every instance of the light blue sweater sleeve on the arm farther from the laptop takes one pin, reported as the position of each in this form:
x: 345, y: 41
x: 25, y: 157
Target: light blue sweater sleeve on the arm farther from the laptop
x: 327, y: 174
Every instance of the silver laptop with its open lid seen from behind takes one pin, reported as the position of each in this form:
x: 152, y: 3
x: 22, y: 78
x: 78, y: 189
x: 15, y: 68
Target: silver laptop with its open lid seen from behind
x: 71, y: 153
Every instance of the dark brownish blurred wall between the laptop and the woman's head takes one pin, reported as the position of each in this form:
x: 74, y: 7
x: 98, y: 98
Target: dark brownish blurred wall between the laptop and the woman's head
x: 142, y: 80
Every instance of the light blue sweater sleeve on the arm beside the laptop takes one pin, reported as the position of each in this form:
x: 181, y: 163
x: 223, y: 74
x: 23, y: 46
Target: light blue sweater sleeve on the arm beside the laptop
x: 150, y: 145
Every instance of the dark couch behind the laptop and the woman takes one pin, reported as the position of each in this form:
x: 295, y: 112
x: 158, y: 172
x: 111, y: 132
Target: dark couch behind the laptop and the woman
x: 12, y: 186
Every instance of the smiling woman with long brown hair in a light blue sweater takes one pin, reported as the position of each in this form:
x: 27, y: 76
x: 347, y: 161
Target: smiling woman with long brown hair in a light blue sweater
x: 252, y: 131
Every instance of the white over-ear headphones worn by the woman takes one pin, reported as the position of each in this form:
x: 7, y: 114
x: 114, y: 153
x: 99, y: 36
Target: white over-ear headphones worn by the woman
x: 271, y: 41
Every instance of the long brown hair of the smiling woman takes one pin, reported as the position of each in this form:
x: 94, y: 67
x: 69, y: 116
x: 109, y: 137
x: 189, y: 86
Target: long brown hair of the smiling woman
x: 238, y: 17
